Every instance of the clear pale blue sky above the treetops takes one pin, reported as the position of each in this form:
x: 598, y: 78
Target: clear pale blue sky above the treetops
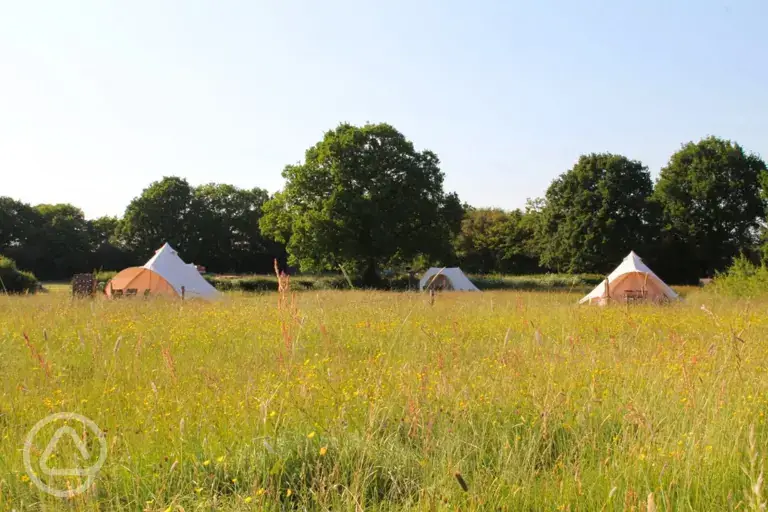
x: 98, y: 99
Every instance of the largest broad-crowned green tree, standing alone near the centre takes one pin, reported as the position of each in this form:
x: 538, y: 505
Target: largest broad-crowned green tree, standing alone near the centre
x: 363, y: 197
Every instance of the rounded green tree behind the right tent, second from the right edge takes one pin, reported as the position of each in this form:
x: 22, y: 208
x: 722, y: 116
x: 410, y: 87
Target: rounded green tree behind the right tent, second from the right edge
x: 595, y: 213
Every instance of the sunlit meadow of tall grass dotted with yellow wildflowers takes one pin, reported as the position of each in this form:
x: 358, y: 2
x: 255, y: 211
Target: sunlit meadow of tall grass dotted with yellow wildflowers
x: 362, y: 400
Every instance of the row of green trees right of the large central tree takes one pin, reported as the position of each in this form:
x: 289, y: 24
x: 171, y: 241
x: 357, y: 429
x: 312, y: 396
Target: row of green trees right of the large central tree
x: 707, y: 206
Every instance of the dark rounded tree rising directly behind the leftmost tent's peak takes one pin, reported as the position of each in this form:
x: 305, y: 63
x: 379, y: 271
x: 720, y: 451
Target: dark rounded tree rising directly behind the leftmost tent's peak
x: 162, y: 213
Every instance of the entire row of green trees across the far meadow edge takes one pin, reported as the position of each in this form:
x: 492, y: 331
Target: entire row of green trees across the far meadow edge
x: 364, y: 201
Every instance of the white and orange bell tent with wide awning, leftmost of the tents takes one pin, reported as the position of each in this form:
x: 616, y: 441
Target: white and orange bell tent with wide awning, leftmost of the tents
x: 164, y: 274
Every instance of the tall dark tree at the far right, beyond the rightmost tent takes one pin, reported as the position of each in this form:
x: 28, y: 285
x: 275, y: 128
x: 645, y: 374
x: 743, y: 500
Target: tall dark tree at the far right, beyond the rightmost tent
x: 711, y: 202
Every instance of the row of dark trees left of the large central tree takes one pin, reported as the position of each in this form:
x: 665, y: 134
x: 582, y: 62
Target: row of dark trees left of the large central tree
x: 215, y: 225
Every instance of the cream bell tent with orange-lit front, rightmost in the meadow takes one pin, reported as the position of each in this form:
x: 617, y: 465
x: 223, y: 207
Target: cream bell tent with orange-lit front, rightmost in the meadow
x: 632, y: 280
